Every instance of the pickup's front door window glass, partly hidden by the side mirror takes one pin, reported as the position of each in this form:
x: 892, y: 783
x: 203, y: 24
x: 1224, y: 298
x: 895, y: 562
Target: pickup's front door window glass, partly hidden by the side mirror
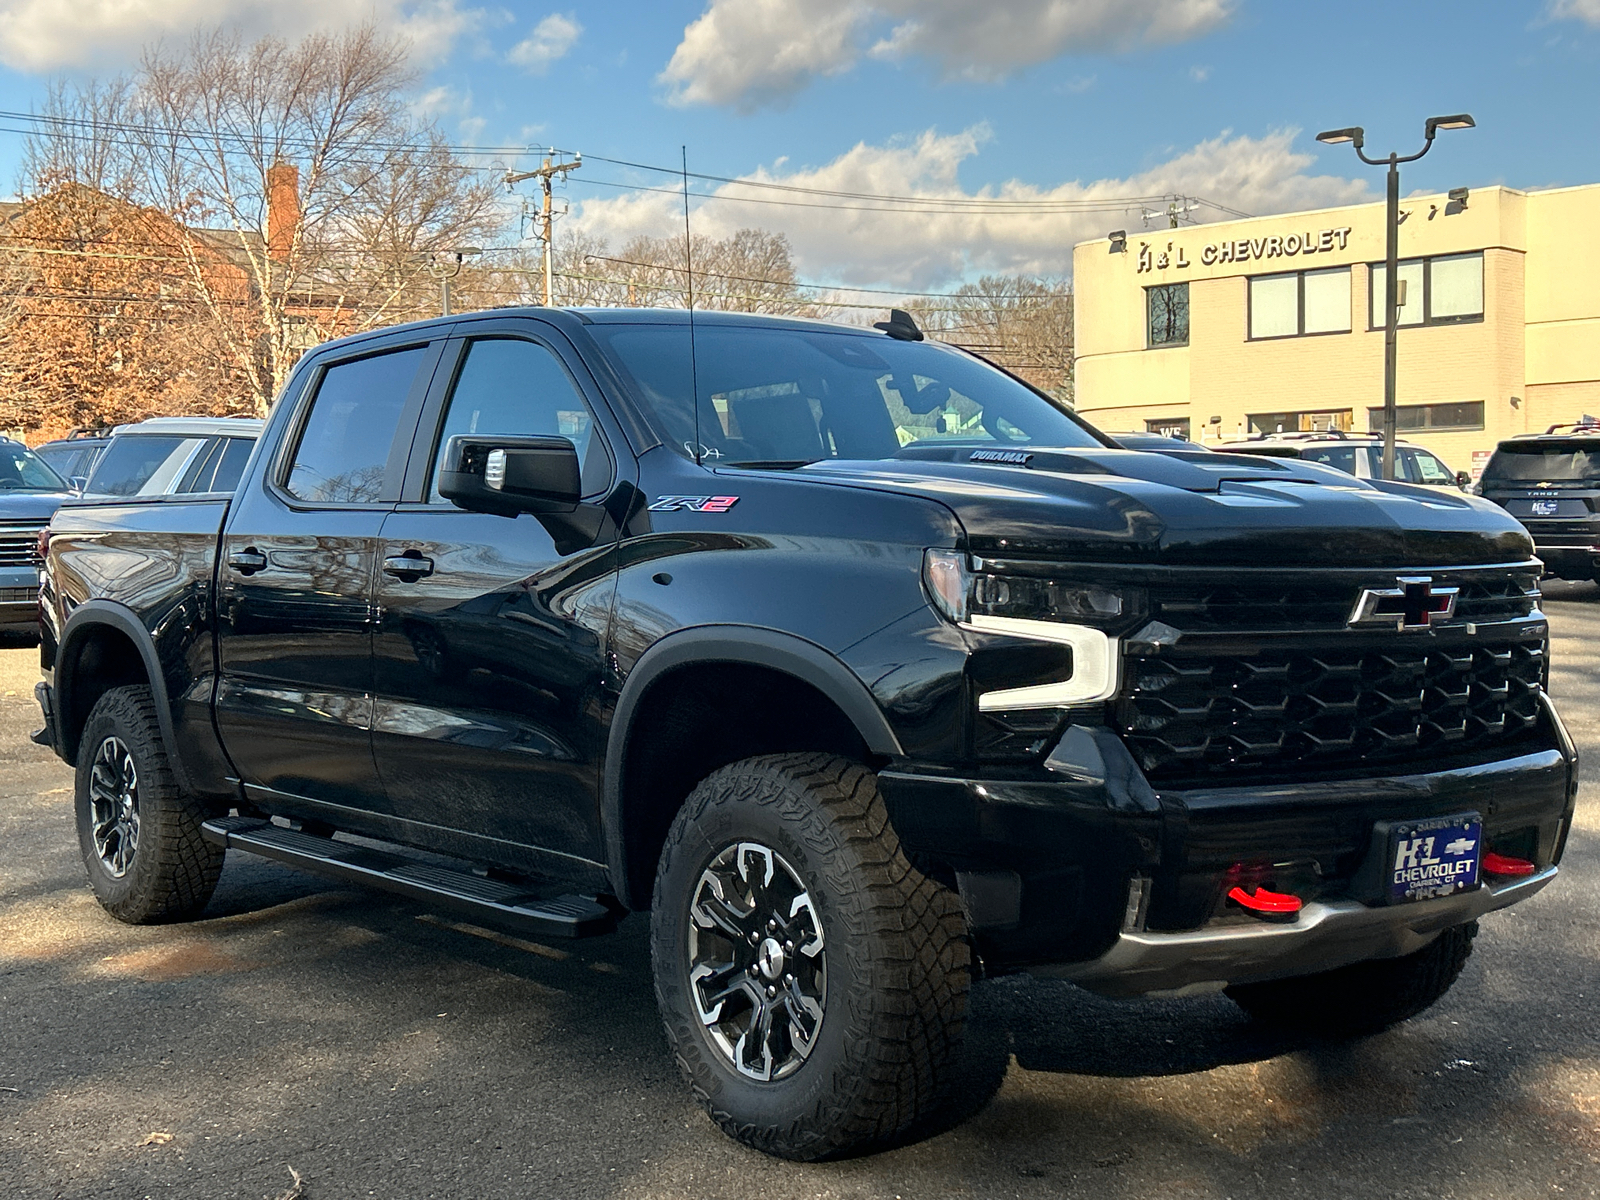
x: 521, y: 390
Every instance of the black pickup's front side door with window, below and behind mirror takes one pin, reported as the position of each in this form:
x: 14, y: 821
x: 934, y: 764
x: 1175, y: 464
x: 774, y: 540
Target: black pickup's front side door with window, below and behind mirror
x: 490, y: 649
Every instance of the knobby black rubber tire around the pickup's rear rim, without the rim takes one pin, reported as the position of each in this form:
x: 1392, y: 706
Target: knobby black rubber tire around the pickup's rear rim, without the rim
x: 177, y: 870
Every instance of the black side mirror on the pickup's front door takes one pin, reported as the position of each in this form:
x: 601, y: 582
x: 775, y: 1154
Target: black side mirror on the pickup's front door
x: 510, y: 476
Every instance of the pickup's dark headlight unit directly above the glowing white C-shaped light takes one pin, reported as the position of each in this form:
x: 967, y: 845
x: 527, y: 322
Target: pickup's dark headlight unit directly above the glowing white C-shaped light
x: 961, y: 594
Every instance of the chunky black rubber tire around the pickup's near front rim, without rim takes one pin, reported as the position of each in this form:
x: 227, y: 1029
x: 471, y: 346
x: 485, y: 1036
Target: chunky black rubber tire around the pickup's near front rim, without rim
x: 902, y: 1070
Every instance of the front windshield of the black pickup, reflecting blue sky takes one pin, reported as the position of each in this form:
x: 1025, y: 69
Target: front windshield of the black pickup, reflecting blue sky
x: 788, y: 398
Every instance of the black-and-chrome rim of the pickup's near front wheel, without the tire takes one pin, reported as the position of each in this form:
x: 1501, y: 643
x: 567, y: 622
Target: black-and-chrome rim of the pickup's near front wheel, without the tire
x: 756, y: 961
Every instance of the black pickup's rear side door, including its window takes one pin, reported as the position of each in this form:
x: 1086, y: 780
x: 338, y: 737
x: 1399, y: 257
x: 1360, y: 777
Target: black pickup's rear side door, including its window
x: 297, y: 580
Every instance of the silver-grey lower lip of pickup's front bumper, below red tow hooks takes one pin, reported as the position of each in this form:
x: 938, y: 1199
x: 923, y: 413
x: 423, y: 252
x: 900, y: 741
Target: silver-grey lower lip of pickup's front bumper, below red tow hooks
x: 1322, y: 938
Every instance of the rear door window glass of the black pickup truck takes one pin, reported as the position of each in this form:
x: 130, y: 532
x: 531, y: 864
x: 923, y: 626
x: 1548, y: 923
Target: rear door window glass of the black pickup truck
x: 345, y: 444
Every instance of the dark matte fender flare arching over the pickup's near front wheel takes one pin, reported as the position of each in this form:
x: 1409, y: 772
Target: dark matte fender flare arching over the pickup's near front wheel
x: 753, y: 646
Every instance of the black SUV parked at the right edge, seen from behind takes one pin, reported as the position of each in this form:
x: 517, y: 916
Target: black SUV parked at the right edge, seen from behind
x: 1551, y: 482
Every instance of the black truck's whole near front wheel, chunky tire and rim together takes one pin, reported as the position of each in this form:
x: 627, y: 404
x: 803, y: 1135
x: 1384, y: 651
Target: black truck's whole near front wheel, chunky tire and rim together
x: 814, y: 983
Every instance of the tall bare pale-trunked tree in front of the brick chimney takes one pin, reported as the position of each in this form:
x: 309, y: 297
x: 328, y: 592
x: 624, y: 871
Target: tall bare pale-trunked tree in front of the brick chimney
x: 310, y: 199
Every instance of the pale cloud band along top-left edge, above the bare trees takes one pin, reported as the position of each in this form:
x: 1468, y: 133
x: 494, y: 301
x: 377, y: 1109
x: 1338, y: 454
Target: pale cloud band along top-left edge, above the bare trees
x: 42, y: 36
